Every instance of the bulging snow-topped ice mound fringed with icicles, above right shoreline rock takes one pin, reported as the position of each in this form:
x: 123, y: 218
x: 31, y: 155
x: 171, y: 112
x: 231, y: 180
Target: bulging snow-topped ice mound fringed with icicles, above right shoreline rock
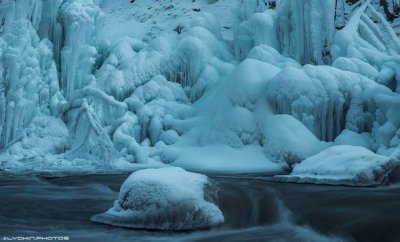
x: 326, y: 100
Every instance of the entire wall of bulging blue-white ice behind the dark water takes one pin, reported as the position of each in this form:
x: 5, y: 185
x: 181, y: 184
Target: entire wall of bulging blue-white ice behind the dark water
x: 280, y: 81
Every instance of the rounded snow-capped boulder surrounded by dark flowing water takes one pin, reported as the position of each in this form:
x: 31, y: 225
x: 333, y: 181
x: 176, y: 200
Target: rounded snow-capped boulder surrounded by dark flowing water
x: 164, y: 199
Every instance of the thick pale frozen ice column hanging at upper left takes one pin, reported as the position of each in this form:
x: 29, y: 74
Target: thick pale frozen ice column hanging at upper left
x: 80, y: 20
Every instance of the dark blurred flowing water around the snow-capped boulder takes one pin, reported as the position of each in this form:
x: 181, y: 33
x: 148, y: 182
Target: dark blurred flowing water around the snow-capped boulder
x: 255, y: 210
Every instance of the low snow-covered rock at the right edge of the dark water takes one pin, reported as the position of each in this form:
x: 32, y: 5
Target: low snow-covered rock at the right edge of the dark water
x: 342, y: 165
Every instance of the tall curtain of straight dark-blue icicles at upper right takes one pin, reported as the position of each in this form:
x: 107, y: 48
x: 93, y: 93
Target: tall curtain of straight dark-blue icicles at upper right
x: 306, y: 30
